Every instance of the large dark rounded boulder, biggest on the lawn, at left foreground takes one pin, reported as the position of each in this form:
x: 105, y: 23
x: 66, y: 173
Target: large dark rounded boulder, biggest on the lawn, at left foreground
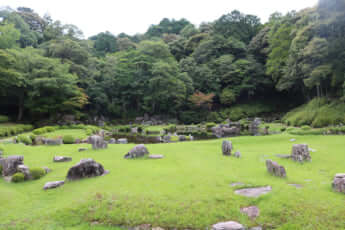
x: 84, y: 169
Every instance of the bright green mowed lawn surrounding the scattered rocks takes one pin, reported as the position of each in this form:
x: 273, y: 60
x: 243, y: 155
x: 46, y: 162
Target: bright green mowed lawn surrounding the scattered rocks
x: 188, y: 189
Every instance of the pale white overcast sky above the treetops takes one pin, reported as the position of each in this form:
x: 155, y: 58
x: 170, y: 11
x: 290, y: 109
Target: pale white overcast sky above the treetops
x: 135, y: 16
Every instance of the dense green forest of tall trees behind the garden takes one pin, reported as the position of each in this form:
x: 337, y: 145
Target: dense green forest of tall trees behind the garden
x: 48, y: 69
